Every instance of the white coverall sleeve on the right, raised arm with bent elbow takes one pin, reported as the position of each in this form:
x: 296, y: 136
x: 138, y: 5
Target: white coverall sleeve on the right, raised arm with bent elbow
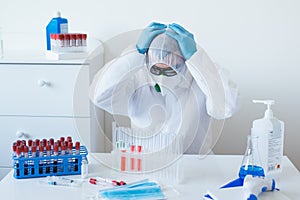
x: 221, y: 93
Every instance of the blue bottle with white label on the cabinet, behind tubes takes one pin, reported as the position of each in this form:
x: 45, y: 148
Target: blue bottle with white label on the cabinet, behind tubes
x: 56, y: 25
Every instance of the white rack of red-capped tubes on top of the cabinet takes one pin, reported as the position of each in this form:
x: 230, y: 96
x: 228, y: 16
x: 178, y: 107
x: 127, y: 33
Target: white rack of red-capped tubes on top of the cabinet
x: 70, y: 42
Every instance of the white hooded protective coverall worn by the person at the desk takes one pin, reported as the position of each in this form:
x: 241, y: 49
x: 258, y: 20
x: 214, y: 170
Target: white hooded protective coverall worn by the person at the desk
x: 188, y: 103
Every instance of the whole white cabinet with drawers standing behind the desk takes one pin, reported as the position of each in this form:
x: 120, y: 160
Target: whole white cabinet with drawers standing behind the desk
x: 42, y: 98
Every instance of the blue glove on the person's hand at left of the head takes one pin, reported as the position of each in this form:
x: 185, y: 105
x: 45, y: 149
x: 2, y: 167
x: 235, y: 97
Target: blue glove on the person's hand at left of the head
x: 148, y: 34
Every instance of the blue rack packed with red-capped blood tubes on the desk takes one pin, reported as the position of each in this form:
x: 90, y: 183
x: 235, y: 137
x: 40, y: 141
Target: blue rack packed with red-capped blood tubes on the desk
x: 39, y: 158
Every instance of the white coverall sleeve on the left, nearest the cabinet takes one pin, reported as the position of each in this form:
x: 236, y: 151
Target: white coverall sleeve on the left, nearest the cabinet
x: 115, y: 80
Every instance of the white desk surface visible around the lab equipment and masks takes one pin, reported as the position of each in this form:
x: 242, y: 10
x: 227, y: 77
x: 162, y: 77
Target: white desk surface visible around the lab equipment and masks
x: 199, y: 175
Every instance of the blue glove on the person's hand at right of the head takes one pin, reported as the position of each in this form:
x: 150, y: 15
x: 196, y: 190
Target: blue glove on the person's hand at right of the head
x: 184, y: 39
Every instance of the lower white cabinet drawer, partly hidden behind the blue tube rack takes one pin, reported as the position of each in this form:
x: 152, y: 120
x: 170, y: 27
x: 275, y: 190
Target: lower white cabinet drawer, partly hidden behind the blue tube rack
x: 40, y: 127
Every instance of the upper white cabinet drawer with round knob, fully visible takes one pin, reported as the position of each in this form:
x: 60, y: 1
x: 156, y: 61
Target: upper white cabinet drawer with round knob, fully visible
x: 44, y: 90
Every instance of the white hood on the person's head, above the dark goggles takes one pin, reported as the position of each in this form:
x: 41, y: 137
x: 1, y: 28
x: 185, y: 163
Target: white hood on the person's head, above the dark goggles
x: 164, y: 49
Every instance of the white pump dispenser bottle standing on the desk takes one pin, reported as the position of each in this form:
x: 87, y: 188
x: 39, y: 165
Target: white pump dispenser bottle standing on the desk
x: 270, y: 133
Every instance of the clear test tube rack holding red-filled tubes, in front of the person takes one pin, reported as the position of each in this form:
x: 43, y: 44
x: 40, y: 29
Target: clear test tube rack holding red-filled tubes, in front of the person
x: 156, y: 156
